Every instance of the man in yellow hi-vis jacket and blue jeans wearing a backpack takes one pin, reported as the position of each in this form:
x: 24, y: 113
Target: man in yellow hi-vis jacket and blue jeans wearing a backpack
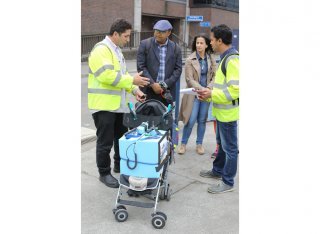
x: 225, y: 99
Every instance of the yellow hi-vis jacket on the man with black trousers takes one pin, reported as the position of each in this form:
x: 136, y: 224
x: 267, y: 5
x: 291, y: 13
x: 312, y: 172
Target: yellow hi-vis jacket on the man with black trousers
x: 105, y: 79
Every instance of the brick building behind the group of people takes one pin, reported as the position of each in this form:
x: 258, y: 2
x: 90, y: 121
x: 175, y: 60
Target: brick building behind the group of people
x: 98, y: 15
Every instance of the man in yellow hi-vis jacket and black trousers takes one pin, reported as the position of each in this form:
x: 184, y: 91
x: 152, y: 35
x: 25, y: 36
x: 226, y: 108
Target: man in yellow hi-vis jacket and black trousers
x: 108, y: 85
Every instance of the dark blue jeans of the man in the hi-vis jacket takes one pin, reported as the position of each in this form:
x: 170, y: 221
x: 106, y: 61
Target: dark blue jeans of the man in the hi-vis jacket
x: 225, y: 163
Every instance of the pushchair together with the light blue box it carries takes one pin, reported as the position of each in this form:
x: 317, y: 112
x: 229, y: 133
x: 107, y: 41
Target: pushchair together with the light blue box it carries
x: 146, y: 151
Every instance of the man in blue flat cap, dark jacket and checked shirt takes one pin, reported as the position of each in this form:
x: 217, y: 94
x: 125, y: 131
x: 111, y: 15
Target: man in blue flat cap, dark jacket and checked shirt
x: 160, y: 60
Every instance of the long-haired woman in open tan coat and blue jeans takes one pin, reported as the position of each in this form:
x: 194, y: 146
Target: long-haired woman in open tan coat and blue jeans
x: 199, y: 72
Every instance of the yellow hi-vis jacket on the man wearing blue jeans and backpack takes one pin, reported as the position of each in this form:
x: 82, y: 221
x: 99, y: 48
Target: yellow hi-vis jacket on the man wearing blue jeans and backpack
x: 225, y: 93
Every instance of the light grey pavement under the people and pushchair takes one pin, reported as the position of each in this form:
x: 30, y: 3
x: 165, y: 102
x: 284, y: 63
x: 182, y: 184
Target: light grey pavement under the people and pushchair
x: 191, y: 208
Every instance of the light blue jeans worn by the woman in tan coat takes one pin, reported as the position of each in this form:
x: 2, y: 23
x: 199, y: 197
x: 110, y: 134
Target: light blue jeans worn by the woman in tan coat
x: 200, y: 113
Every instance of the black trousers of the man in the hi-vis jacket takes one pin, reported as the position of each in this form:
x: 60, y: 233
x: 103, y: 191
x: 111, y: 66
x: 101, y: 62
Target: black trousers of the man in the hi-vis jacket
x: 109, y: 130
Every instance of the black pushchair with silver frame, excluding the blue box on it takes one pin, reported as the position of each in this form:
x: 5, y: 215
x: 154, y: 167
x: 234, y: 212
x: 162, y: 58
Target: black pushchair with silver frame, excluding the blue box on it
x: 158, y: 117
